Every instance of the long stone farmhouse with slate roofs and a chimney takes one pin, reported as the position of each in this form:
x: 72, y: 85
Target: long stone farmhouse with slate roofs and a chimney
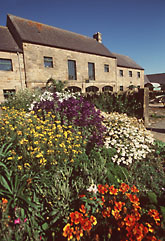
x: 31, y: 53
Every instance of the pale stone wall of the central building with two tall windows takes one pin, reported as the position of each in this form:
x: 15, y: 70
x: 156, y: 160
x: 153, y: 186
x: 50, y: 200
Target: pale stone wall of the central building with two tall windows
x: 37, y: 74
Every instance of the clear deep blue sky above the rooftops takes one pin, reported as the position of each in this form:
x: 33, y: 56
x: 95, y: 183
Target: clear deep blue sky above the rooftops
x: 135, y: 28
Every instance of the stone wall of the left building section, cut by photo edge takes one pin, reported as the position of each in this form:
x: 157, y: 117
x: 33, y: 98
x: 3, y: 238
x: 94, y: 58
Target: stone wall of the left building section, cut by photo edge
x: 15, y: 79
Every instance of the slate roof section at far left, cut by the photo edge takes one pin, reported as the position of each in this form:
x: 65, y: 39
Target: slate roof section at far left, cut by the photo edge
x: 7, y: 43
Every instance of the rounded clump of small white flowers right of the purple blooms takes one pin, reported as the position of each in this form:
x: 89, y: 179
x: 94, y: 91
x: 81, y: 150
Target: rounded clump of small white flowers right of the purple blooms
x: 128, y: 136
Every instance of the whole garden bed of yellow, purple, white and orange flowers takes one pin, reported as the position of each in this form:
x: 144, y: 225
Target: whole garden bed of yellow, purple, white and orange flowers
x: 50, y: 155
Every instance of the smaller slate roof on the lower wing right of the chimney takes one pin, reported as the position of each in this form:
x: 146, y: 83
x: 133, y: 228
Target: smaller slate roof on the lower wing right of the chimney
x: 125, y: 61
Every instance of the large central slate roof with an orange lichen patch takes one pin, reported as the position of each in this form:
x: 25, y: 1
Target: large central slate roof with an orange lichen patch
x: 37, y: 33
